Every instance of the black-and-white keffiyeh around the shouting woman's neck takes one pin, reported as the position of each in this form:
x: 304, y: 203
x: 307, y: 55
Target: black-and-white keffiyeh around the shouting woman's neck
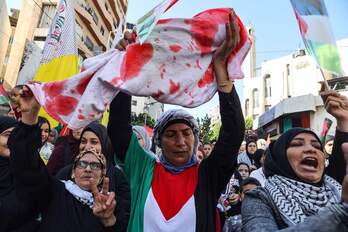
x: 297, y: 200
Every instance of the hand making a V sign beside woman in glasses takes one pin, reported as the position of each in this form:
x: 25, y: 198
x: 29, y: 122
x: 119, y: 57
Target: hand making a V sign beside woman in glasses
x: 104, y: 203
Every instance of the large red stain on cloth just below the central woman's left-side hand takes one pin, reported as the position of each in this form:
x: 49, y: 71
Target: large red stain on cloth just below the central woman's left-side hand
x: 136, y: 57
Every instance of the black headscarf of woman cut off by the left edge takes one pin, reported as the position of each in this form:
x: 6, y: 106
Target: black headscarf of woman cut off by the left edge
x: 6, y: 181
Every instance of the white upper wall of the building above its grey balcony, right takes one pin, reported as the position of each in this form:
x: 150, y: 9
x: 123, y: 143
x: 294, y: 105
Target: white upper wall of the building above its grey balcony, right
x: 302, y: 78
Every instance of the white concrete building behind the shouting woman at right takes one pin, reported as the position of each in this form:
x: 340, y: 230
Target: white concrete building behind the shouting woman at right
x: 285, y: 94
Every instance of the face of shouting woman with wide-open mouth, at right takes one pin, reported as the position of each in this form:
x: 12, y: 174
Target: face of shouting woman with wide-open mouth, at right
x: 306, y: 157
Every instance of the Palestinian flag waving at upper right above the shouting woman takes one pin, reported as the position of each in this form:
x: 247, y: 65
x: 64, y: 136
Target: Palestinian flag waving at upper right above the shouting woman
x: 317, y: 35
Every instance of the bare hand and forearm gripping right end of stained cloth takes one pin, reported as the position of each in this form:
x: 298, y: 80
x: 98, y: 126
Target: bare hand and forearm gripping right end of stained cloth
x: 223, y: 52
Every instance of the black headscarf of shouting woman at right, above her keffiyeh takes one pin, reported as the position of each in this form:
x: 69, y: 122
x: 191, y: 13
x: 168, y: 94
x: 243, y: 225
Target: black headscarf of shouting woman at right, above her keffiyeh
x: 276, y: 161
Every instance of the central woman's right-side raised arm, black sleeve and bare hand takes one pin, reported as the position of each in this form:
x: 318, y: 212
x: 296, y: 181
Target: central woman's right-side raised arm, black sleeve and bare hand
x: 224, y: 155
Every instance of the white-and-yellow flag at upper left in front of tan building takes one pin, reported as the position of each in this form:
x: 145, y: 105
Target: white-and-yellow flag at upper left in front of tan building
x: 59, y: 59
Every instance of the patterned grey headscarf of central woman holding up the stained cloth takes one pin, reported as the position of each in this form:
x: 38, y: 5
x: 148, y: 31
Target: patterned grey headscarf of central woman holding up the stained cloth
x: 168, y: 118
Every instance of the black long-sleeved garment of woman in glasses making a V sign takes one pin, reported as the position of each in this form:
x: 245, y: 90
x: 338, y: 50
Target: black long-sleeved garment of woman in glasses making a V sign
x: 59, y: 209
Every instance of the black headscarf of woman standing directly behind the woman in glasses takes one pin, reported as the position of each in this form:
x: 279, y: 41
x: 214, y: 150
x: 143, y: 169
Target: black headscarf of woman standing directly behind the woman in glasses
x: 102, y: 134
